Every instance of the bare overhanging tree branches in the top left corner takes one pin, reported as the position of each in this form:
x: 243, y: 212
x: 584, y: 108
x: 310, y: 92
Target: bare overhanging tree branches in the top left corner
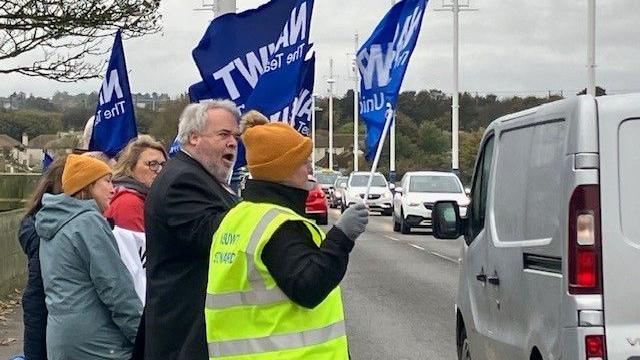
x: 66, y: 34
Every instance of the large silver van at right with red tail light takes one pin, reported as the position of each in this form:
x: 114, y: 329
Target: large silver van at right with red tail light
x: 549, y: 266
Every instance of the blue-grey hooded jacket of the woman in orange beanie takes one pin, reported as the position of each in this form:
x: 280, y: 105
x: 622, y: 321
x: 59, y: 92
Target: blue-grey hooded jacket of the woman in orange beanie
x: 94, y: 311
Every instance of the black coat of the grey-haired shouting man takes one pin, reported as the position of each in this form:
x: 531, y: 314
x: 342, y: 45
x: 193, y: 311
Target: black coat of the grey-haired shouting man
x: 183, y: 209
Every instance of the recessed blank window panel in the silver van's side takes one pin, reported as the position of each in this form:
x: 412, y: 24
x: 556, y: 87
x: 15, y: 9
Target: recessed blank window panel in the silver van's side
x: 528, y: 181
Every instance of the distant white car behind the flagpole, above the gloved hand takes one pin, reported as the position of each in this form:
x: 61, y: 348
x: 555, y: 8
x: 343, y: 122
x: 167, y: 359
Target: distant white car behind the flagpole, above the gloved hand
x: 380, y: 196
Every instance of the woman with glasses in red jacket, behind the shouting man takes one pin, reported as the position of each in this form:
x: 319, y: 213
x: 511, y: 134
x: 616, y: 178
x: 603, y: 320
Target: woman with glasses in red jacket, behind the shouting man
x: 137, y: 167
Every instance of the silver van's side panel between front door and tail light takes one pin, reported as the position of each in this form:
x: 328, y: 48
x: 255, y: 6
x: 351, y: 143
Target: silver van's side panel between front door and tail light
x: 524, y: 218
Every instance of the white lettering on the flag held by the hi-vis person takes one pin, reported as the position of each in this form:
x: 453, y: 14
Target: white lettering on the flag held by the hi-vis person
x: 380, y: 63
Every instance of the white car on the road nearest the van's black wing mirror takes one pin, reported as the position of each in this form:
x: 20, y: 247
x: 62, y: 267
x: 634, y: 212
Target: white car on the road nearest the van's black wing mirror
x: 418, y: 192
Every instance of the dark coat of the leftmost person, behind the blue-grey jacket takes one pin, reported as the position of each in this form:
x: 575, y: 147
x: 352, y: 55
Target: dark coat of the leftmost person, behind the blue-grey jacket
x: 33, y: 305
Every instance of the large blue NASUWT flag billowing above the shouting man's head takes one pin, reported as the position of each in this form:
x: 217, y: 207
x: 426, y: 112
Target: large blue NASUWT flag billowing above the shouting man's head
x: 255, y: 58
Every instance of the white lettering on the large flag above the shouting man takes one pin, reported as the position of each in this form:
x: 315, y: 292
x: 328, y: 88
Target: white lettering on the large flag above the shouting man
x: 267, y: 58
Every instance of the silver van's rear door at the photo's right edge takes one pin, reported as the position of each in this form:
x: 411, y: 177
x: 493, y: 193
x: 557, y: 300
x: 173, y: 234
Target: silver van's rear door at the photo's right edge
x: 619, y: 129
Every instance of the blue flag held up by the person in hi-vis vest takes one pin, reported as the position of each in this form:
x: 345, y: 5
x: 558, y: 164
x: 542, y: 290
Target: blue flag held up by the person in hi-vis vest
x: 382, y: 62
